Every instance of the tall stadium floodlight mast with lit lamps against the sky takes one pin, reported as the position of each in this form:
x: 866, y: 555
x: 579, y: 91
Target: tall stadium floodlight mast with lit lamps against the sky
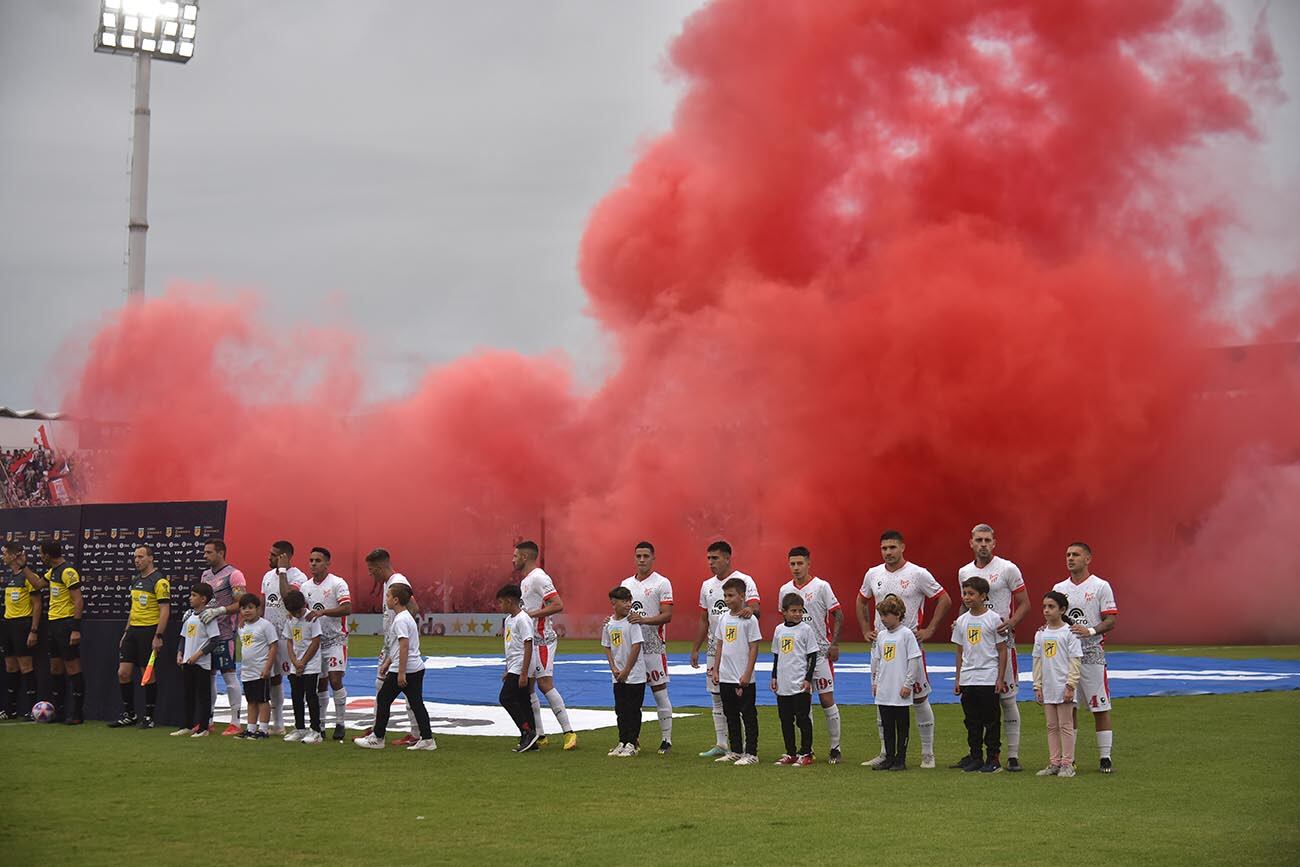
x: 145, y: 31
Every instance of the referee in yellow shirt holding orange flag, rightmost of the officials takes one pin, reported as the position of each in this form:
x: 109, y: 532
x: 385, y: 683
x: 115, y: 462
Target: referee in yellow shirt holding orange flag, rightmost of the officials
x: 151, y: 605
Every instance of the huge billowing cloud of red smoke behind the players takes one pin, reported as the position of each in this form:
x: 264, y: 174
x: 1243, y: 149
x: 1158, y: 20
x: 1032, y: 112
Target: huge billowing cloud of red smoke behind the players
x: 895, y: 266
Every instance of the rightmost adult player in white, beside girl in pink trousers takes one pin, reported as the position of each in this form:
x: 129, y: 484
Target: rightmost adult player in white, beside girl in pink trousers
x: 1093, y: 614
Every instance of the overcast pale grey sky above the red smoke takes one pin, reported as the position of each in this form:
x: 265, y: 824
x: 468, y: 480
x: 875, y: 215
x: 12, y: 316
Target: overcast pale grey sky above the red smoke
x: 419, y: 170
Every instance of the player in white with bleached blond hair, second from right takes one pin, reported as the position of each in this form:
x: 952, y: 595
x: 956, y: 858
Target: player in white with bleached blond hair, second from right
x: 1009, y: 599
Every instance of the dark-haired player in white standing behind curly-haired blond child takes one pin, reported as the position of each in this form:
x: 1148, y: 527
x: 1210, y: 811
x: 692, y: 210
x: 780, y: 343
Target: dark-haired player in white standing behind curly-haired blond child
x: 915, y: 586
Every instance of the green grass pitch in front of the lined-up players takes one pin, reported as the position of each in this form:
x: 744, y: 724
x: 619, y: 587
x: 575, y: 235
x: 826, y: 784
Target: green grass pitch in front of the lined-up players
x: 1206, y: 779
